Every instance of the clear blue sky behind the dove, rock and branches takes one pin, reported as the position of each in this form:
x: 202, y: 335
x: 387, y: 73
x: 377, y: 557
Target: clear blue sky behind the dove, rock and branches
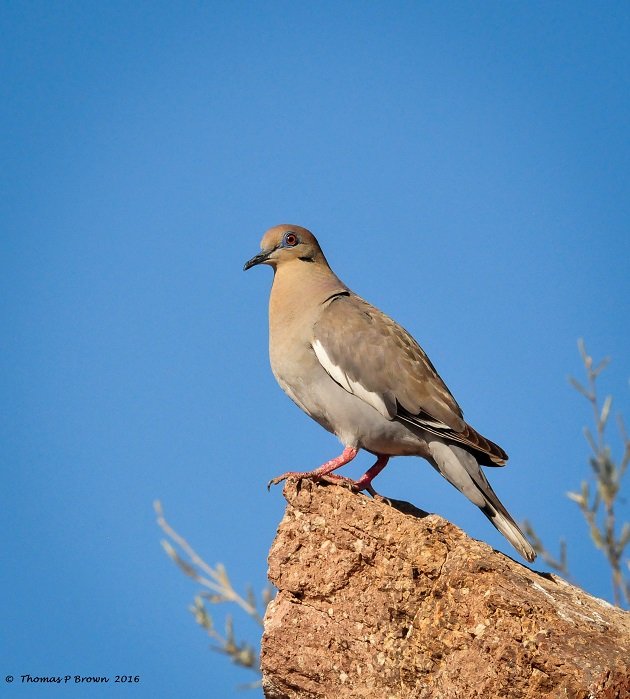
x: 465, y: 167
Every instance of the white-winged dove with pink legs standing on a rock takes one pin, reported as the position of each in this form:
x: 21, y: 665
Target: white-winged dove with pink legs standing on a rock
x: 365, y: 379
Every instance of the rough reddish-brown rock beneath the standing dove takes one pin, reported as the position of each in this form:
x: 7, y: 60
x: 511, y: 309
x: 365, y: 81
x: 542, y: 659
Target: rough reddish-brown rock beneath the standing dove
x: 388, y: 601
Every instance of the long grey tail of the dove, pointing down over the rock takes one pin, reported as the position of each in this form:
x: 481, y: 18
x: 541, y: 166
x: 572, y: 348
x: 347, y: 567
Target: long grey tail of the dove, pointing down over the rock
x: 460, y: 468
